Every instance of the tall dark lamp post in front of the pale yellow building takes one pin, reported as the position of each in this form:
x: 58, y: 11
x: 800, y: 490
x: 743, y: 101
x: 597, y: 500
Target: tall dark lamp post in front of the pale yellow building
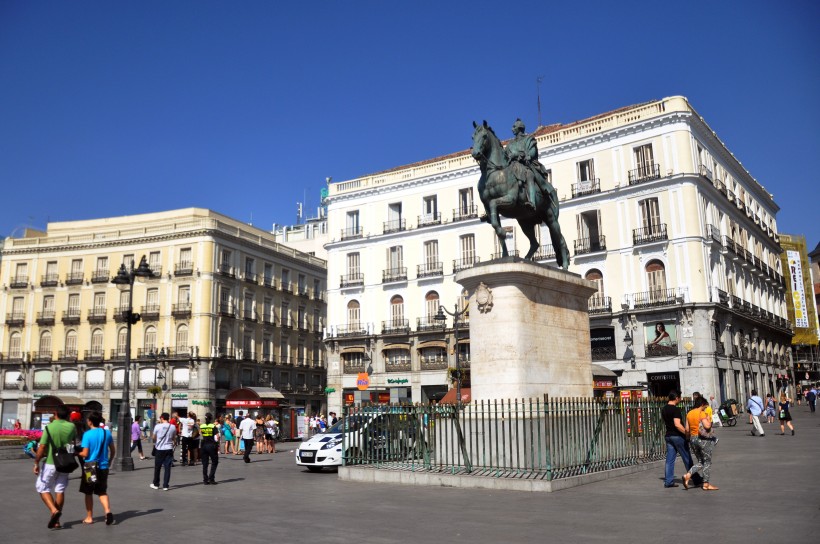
x: 125, y: 277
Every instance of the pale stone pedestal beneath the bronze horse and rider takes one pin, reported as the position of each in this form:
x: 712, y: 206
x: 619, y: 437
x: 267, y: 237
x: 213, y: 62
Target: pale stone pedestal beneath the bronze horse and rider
x: 529, y: 330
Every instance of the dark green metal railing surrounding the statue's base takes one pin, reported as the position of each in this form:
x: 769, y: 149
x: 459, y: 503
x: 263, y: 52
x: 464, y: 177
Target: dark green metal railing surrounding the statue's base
x: 546, y: 439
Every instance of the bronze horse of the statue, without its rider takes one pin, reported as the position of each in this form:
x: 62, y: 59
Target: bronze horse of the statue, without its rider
x: 501, y: 188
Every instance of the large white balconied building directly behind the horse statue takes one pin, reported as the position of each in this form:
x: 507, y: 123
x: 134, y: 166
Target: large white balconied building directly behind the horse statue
x: 678, y: 235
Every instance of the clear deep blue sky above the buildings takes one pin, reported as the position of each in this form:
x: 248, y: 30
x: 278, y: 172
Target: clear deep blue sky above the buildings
x: 113, y: 108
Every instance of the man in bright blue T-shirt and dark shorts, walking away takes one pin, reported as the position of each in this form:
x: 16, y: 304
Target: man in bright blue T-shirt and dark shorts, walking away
x: 97, y: 447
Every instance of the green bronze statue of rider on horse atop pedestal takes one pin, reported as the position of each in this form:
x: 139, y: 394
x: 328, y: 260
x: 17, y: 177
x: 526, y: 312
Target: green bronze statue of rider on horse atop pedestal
x: 514, y: 184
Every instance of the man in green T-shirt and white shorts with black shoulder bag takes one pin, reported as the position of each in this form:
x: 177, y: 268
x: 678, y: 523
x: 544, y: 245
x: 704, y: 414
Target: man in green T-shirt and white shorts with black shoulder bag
x: 59, y: 433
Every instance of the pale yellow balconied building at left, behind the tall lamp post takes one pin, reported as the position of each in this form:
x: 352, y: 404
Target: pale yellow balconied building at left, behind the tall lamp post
x: 228, y: 308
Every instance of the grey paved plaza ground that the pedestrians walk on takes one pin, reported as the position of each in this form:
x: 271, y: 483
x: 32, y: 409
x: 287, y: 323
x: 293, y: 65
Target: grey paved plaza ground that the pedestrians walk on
x: 769, y: 492
